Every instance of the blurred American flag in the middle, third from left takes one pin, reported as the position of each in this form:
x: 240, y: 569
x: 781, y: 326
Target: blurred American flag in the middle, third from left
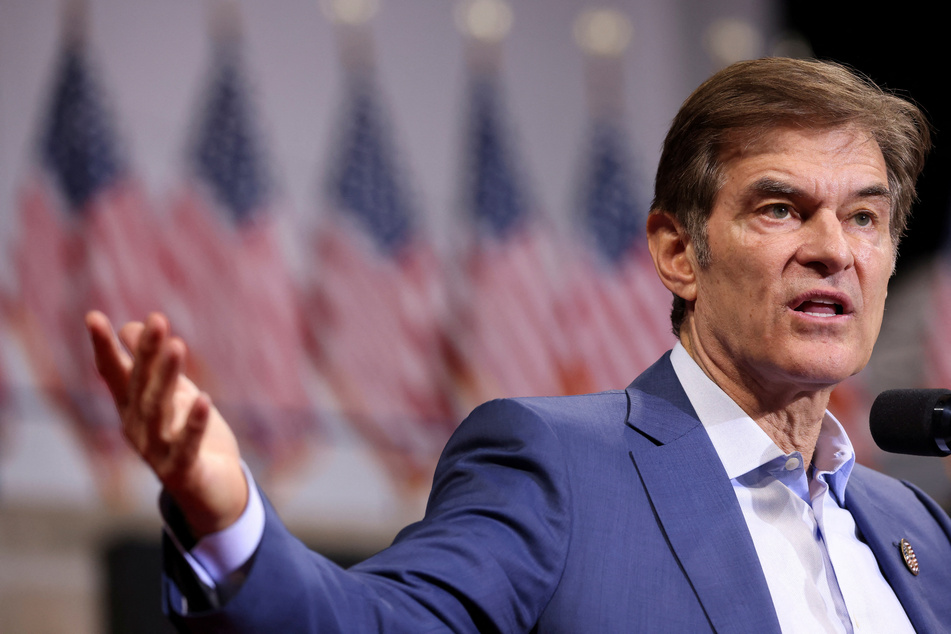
x: 376, y: 304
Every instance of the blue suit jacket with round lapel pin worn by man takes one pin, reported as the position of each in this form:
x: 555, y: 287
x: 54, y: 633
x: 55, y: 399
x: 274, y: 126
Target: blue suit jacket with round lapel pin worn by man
x: 608, y: 512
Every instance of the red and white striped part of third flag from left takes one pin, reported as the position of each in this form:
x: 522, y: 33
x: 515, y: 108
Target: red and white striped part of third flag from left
x: 374, y: 322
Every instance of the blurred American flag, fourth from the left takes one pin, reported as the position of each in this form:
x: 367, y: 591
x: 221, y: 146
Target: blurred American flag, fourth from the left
x: 507, y: 339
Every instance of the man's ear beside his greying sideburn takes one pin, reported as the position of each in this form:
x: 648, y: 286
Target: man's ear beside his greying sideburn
x: 672, y: 252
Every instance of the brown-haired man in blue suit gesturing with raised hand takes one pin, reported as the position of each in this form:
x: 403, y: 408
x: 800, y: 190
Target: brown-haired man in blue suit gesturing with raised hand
x: 716, y: 493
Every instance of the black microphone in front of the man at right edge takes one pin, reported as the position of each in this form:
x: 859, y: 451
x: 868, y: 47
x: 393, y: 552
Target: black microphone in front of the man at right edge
x: 915, y: 422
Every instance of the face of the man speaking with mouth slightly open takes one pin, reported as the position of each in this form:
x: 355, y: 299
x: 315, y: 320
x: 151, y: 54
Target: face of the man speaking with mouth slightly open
x: 801, y: 257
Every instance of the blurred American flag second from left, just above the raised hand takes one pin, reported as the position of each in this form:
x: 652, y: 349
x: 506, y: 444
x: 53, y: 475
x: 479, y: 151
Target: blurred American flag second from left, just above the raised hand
x: 237, y: 303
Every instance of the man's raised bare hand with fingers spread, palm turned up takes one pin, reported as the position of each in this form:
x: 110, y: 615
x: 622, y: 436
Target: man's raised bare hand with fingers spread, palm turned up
x: 170, y: 422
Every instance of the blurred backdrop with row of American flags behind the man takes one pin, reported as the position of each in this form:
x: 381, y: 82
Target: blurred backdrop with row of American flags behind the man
x: 364, y: 220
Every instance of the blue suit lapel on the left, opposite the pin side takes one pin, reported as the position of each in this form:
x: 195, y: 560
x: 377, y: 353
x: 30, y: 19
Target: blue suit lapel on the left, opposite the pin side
x: 695, y: 504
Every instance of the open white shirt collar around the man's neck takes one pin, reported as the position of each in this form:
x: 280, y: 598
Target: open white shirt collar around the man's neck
x: 742, y: 445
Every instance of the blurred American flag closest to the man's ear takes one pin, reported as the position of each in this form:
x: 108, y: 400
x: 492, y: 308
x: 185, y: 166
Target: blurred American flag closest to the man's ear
x: 616, y: 307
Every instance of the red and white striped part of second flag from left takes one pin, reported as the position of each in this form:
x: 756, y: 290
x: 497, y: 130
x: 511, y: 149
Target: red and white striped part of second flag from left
x: 238, y: 307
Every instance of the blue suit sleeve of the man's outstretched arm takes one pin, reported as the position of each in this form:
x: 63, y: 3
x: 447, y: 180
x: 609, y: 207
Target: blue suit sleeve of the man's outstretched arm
x: 487, y: 556
